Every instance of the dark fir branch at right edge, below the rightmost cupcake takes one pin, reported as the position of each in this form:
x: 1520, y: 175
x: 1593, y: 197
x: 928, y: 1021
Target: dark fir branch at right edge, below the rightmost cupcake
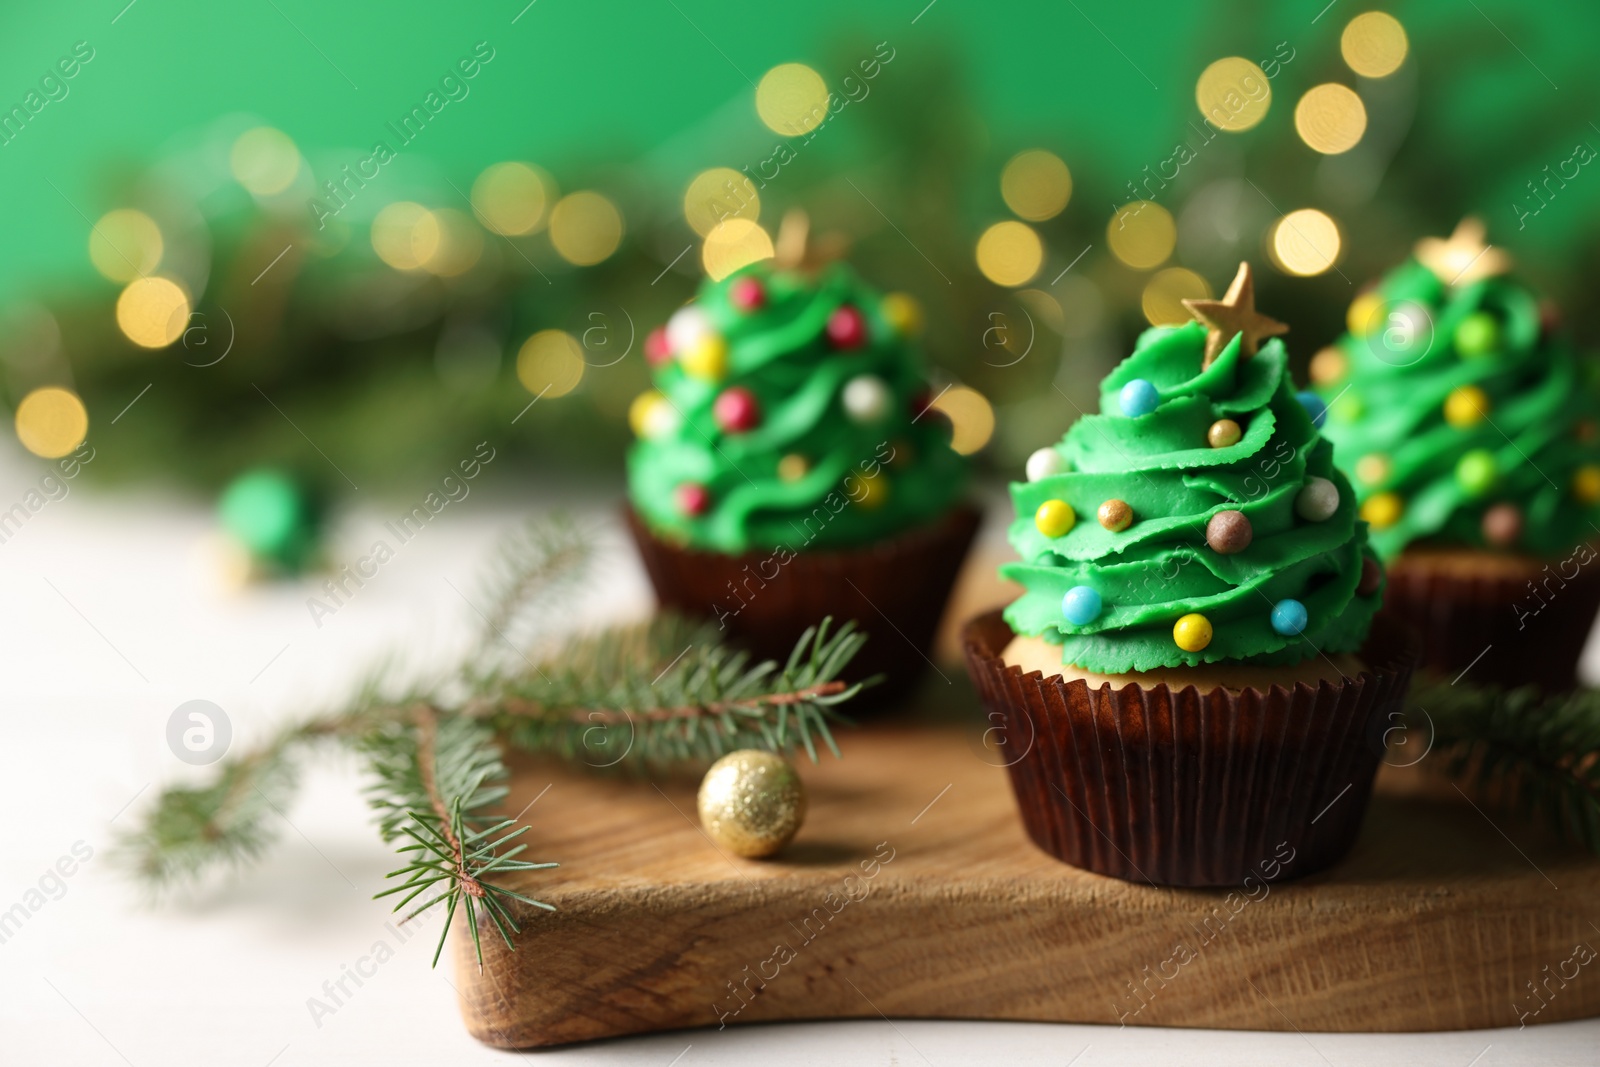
x: 1529, y: 753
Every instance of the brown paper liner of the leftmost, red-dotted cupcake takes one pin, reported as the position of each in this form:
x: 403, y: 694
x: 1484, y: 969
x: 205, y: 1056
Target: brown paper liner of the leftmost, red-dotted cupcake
x: 895, y: 591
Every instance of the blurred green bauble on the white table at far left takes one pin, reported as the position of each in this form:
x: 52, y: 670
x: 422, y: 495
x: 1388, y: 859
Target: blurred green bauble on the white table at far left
x: 276, y: 519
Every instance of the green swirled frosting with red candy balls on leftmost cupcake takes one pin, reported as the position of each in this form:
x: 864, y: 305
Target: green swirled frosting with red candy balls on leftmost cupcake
x: 790, y: 410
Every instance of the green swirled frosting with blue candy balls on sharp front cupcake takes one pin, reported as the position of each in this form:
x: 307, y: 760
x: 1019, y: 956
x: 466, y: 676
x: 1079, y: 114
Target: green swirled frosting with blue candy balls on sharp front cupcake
x: 1238, y: 518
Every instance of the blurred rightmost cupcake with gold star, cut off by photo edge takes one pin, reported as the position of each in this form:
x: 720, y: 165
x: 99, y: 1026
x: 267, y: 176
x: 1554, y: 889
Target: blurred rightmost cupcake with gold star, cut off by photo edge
x: 1471, y: 436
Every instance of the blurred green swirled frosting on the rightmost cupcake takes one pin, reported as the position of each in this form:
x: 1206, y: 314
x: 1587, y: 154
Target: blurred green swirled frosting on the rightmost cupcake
x: 1463, y: 417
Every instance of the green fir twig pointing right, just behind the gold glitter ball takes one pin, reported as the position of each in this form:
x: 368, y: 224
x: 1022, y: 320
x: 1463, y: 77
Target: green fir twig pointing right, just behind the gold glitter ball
x: 615, y: 698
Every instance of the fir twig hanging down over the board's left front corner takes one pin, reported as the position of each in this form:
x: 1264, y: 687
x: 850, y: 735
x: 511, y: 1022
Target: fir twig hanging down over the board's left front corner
x: 433, y: 775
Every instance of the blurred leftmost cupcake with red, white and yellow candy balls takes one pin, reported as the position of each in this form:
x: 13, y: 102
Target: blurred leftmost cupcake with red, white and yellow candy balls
x: 790, y: 468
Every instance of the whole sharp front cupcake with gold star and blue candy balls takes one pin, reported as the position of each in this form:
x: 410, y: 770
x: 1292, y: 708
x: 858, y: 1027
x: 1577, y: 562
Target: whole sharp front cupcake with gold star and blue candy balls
x: 1188, y: 687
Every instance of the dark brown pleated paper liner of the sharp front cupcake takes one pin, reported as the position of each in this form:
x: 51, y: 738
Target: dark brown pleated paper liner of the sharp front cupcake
x: 1188, y: 788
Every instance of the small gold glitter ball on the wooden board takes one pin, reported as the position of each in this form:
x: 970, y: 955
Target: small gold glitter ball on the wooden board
x: 751, y: 802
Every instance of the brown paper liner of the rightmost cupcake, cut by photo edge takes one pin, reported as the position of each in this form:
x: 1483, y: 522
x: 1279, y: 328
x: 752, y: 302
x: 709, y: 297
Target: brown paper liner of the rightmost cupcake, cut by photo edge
x: 1511, y: 626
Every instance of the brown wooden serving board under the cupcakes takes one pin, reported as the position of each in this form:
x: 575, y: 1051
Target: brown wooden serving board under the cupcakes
x: 913, y: 892
